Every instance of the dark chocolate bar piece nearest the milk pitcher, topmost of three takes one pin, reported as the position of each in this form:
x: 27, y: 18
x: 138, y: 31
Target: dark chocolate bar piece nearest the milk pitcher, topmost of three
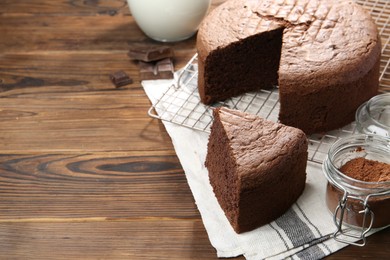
x: 150, y: 54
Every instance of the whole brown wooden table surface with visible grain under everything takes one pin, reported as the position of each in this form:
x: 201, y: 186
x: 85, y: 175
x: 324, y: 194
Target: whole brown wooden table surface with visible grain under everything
x: 84, y: 172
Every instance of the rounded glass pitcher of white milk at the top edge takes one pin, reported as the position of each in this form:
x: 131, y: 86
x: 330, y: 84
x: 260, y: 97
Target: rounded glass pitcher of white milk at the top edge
x: 169, y: 20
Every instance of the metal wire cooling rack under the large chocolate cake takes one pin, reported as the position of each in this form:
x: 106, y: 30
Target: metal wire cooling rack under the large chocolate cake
x: 181, y: 105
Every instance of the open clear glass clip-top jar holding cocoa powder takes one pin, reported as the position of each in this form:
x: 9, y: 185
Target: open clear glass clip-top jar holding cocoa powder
x: 355, y: 204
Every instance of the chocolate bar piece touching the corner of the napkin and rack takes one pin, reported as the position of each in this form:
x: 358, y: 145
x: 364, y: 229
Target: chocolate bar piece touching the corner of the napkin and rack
x: 162, y: 69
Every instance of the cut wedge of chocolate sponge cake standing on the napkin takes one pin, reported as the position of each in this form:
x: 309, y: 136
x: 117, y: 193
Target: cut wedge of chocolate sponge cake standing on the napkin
x: 257, y: 168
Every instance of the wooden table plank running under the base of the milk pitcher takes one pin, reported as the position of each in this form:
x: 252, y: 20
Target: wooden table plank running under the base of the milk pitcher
x: 67, y: 33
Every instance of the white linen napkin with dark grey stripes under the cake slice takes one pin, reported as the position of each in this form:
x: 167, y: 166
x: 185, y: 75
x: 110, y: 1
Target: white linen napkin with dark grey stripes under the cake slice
x: 304, y: 232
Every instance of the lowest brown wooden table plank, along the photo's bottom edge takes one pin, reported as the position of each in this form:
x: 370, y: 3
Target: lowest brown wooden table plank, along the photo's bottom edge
x: 158, y: 239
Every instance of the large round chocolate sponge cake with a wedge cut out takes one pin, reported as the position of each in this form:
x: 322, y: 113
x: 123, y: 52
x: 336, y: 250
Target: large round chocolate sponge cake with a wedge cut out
x: 323, y: 55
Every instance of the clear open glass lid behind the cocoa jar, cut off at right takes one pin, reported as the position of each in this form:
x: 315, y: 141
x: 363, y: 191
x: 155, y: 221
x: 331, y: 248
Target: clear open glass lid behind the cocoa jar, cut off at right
x: 373, y: 117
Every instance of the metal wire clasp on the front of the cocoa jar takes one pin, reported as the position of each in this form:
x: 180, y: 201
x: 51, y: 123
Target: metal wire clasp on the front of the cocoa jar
x: 350, y: 234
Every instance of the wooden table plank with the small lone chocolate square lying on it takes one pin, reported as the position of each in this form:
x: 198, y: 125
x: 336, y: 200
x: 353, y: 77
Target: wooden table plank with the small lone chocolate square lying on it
x: 40, y: 72
